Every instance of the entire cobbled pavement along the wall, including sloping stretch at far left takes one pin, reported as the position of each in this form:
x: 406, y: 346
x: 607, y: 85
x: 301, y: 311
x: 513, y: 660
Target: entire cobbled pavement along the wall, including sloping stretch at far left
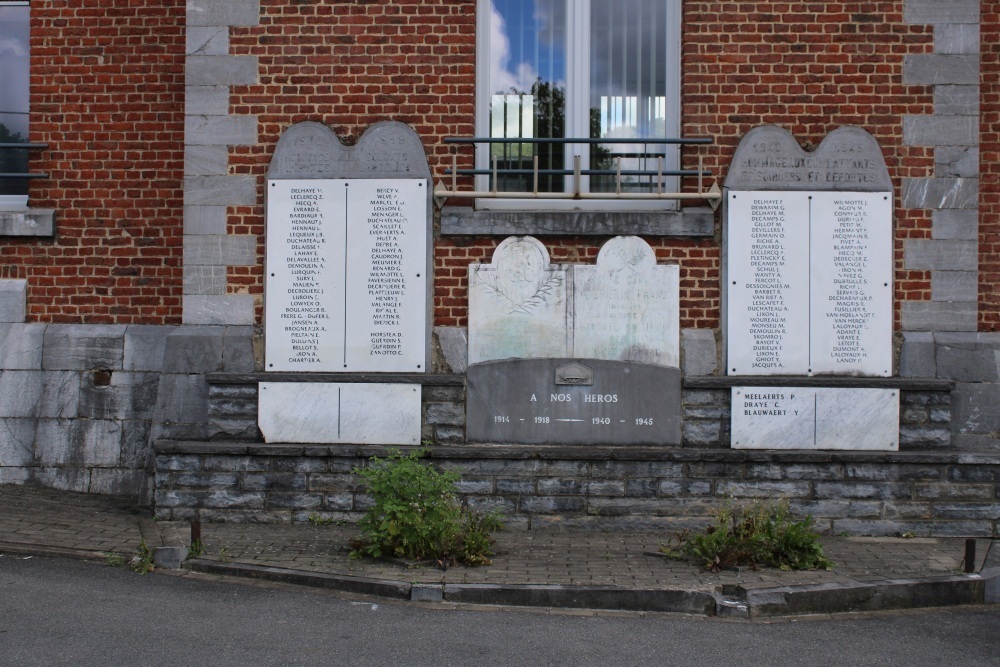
x: 98, y: 523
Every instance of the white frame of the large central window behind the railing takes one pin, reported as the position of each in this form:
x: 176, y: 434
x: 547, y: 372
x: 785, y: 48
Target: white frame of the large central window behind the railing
x: 578, y: 14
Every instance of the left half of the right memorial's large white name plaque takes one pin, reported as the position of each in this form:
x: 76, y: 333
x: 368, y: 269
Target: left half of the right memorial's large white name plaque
x: 768, y: 304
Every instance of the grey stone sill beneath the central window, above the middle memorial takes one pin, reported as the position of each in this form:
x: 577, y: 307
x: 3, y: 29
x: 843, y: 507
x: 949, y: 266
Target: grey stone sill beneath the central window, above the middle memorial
x: 694, y: 221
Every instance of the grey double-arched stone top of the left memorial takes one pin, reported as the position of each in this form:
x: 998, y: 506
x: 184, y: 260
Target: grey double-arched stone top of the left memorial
x: 387, y: 149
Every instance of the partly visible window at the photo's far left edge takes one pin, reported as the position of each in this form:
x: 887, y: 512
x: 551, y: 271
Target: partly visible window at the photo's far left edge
x: 13, y: 103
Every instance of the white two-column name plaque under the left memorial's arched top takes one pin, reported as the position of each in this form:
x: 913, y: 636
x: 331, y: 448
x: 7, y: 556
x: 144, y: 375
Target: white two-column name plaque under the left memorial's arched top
x: 346, y: 275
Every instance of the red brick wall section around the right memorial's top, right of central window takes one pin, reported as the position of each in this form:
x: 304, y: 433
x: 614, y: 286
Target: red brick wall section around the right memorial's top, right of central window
x: 810, y: 67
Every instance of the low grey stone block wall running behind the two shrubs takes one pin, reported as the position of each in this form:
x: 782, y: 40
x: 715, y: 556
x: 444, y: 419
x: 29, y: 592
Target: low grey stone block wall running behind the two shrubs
x: 860, y: 493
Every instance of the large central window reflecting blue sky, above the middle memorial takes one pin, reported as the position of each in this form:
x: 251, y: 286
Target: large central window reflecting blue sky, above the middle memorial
x: 599, y: 69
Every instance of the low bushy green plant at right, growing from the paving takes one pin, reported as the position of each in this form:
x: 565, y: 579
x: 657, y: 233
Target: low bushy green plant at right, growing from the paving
x: 760, y: 533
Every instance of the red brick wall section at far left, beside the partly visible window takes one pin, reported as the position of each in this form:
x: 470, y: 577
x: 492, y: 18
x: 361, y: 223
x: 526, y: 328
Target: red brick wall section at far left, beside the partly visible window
x: 107, y: 86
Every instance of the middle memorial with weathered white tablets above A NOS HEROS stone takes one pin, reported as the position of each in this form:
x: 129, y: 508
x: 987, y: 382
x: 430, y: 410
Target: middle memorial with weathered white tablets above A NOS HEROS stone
x: 573, y: 354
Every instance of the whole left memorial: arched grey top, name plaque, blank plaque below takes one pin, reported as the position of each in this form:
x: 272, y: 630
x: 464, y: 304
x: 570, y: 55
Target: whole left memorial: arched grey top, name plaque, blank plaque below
x: 347, y: 284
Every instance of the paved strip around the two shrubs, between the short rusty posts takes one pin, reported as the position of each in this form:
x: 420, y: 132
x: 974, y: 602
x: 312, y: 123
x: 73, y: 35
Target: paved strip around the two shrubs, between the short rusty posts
x: 581, y: 558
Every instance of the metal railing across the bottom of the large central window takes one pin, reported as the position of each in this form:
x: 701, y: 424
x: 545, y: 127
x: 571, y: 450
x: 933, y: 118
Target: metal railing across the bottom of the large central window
x: 713, y: 194
